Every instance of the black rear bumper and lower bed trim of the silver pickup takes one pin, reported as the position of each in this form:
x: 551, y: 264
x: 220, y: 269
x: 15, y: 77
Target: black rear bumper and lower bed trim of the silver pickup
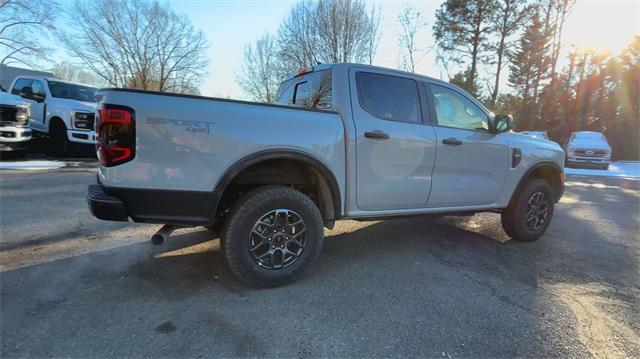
x: 153, y: 206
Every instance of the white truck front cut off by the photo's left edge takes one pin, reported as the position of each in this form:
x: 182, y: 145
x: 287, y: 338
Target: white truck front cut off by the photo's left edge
x: 15, y: 132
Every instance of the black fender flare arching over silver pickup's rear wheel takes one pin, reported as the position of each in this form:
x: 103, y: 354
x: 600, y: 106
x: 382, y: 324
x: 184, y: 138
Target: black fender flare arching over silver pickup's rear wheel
x: 265, y: 155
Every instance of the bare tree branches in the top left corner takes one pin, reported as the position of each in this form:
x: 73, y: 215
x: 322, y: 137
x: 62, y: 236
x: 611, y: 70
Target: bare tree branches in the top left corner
x: 22, y: 22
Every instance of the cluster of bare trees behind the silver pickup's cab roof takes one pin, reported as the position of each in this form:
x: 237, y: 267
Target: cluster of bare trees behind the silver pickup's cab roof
x: 328, y: 31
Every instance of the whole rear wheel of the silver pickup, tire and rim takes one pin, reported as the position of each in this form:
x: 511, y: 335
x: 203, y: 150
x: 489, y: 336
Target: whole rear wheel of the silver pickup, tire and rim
x: 273, y: 235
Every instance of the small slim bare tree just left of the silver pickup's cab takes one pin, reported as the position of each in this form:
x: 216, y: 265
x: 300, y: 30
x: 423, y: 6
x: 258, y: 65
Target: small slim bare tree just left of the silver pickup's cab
x: 261, y: 70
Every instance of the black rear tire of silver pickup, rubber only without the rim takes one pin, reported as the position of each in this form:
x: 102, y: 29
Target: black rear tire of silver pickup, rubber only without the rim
x: 241, y: 219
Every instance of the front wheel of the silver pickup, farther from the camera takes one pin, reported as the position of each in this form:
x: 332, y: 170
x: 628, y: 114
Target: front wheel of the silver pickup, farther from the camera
x: 529, y: 215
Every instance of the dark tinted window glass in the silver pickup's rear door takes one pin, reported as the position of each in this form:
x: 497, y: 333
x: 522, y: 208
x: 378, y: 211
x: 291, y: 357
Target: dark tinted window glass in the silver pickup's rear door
x: 389, y: 97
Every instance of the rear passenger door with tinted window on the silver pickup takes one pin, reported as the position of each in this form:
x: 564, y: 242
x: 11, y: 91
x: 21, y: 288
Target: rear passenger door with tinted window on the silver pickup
x: 395, y: 145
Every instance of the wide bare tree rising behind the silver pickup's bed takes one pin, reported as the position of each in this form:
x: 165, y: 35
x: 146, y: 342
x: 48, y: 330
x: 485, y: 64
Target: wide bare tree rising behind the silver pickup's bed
x: 137, y: 44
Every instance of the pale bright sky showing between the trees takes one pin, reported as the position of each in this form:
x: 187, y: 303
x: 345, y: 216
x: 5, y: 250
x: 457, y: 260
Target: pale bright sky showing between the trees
x: 231, y: 25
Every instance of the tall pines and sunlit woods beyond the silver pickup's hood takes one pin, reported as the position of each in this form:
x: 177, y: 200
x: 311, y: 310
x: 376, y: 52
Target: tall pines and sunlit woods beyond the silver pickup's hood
x: 595, y: 91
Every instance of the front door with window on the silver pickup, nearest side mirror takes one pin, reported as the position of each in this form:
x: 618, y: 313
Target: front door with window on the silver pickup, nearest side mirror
x: 472, y: 162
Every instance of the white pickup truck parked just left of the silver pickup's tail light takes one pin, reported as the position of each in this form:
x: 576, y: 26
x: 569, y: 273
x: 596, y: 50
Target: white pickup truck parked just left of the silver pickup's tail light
x: 62, y: 110
